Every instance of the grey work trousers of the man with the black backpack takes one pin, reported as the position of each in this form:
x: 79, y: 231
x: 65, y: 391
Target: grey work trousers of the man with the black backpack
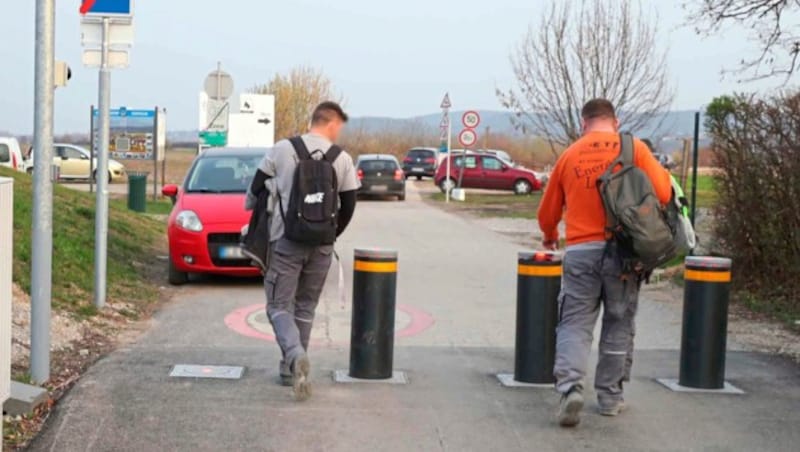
x: 293, y: 284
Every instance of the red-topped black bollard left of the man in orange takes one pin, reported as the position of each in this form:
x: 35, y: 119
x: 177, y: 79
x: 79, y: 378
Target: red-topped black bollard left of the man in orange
x: 538, y: 285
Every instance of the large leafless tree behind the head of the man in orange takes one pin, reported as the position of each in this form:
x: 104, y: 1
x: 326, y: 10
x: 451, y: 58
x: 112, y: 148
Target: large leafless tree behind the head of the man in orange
x: 603, y: 48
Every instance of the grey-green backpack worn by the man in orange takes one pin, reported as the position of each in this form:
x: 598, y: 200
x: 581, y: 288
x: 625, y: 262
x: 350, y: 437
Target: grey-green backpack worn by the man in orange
x: 635, y: 219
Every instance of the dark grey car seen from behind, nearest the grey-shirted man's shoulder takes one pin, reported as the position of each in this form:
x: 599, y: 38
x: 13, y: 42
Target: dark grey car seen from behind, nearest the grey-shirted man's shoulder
x: 380, y: 175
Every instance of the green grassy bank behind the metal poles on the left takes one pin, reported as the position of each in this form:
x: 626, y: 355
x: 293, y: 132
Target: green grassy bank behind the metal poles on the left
x: 133, y: 242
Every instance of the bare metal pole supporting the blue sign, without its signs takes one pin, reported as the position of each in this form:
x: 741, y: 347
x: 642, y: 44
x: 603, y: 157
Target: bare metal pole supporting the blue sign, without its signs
x: 101, y: 209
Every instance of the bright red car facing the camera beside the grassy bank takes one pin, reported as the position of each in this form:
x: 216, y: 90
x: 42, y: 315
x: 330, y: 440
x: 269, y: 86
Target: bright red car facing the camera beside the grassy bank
x: 206, y: 221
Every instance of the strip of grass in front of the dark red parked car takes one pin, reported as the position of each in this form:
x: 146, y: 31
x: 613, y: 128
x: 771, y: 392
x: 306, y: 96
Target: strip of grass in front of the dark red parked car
x: 501, y: 205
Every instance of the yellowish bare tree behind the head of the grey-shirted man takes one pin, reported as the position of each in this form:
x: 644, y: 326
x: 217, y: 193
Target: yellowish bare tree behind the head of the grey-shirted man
x: 296, y: 95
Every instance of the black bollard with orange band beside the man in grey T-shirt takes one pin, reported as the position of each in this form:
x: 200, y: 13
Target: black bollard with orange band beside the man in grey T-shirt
x: 372, y: 329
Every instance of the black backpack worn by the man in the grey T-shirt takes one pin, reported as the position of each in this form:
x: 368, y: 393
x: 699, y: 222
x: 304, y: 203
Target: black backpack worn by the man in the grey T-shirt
x: 313, y: 211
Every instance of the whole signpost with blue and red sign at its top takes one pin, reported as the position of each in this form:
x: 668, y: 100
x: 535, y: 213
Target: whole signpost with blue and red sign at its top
x: 107, y: 33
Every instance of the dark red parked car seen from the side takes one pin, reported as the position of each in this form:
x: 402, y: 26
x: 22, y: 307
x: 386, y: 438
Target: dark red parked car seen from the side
x: 487, y: 171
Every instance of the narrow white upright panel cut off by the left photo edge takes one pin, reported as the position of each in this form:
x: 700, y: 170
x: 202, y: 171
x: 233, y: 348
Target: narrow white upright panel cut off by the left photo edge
x: 6, y: 247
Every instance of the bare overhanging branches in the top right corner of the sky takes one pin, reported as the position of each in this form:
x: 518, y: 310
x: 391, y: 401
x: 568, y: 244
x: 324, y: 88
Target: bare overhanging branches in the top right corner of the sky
x: 774, y: 24
